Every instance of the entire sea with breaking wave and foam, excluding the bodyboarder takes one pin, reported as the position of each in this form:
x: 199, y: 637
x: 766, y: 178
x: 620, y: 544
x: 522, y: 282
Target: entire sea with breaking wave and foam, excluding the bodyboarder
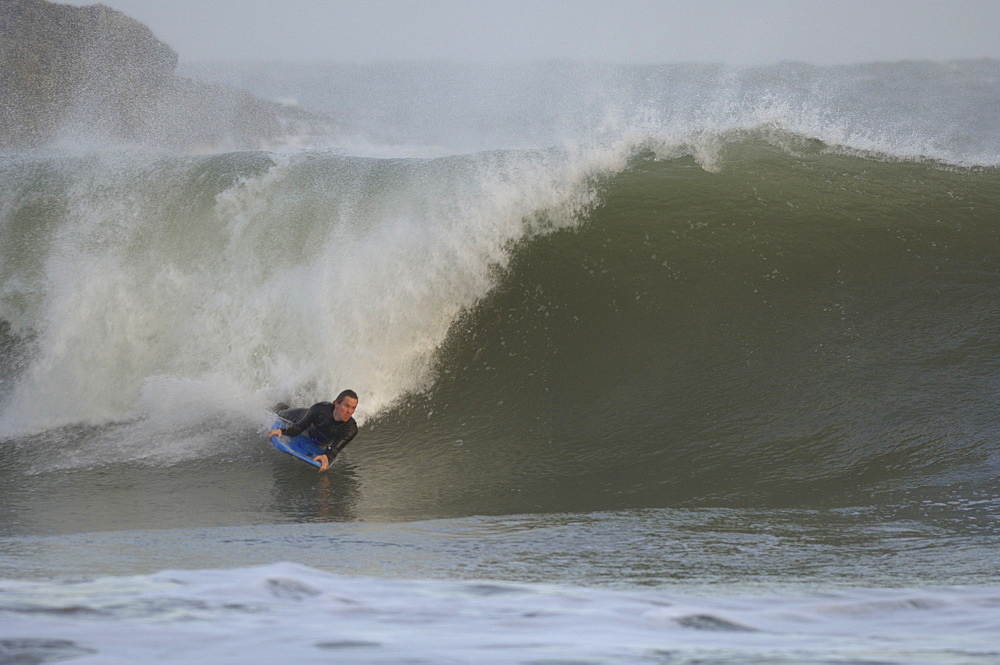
x: 660, y: 364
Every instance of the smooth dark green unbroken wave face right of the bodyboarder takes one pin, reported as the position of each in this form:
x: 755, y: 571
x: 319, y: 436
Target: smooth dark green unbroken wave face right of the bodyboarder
x: 791, y: 328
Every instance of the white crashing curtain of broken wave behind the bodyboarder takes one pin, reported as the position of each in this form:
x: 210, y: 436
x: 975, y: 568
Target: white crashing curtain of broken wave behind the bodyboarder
x: 285, y: 276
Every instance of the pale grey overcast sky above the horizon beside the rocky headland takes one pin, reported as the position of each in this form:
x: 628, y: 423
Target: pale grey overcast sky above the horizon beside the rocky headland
x: 729, y: 31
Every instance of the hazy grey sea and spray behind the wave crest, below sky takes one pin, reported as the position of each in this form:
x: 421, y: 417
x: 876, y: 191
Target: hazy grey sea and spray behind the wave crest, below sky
x: 430, y: 108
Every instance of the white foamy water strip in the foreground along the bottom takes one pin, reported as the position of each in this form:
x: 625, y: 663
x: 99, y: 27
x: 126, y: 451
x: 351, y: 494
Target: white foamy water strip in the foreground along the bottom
x: 289, y: 612
